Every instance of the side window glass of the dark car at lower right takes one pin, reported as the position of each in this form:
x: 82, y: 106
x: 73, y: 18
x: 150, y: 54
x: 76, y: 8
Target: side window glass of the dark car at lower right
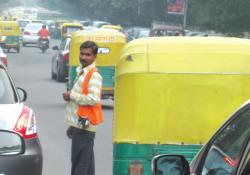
x: 224, y: 154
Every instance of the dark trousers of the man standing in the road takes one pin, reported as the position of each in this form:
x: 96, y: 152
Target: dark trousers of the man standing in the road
x: 82, y: 152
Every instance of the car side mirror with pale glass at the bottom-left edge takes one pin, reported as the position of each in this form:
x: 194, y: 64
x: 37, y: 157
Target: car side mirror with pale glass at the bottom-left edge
x: 11, y: 143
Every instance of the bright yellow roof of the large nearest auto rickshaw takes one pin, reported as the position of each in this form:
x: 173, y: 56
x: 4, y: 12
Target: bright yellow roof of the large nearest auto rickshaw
x: 186, y: 55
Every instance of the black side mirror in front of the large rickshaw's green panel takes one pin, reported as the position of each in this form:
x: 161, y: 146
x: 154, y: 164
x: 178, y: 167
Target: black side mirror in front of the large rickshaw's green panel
x: 170, y: 165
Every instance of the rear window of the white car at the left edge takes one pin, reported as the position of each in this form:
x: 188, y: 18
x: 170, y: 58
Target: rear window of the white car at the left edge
x: 7, y: 93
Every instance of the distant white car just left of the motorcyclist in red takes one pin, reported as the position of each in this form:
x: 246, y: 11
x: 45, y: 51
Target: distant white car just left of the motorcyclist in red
x: 30, y: 33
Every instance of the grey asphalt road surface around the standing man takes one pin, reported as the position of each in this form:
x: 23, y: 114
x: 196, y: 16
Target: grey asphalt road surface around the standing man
x: 31, y: 70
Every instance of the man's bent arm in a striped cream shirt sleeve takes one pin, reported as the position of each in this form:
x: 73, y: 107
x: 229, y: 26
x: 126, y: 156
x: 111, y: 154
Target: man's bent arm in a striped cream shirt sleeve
x: 94, y: 92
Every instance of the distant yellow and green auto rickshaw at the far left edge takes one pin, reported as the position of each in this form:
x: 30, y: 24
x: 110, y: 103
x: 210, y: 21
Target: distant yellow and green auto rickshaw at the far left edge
x: 10, y: 33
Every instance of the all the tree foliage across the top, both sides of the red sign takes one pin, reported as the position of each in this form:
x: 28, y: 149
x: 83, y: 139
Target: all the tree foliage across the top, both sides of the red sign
x: 227, y: 16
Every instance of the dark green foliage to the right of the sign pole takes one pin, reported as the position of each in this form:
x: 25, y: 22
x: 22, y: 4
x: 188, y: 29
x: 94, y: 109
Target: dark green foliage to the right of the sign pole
x: 226, y: 16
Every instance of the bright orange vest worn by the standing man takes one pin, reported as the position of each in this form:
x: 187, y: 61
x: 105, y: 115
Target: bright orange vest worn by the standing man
x: 92, y: 113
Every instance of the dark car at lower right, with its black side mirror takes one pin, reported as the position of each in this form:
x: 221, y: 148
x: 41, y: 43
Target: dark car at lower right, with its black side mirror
x: 226, y: 153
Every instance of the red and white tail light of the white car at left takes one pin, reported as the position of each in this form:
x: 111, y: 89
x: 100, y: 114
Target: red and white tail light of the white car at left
x: 26, y: 124
